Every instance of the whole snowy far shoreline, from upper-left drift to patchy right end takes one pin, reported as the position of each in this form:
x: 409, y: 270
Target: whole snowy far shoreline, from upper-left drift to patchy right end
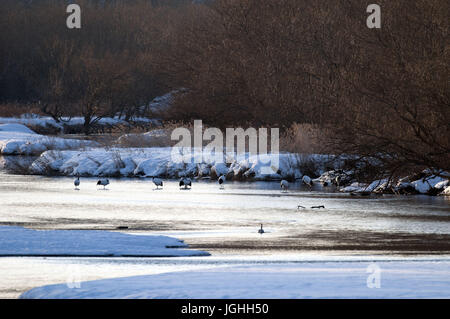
x: 68, y: 157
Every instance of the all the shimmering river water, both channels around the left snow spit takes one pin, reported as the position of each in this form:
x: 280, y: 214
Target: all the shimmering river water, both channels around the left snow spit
x: 224, y: 222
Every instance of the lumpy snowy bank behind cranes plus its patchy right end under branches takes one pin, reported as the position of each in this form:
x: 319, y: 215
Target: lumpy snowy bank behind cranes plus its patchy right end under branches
x: 161, y: 162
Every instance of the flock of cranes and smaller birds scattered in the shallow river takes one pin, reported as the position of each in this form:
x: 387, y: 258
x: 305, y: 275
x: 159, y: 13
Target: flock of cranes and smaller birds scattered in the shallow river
x: 186, y: 183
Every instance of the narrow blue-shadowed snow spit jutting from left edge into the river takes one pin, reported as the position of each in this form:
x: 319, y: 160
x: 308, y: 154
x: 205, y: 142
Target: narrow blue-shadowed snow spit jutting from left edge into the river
x: 19, y: 241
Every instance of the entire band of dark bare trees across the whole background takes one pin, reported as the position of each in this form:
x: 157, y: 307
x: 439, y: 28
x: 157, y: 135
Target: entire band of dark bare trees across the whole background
x: 382, y: 94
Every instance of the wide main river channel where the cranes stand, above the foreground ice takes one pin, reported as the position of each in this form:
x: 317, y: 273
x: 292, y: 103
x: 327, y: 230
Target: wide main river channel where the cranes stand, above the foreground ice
x: 209, y: 218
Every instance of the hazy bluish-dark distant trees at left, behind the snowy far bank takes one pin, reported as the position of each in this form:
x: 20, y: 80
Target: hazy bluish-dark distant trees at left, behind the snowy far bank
x: 104, y: 68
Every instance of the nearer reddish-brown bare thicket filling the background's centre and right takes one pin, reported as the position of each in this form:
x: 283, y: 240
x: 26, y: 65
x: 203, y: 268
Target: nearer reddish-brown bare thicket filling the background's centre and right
x: 382, y: 95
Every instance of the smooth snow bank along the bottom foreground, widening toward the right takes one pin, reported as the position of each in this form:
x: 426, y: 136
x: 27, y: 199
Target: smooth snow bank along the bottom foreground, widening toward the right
x: 299, y: 280
